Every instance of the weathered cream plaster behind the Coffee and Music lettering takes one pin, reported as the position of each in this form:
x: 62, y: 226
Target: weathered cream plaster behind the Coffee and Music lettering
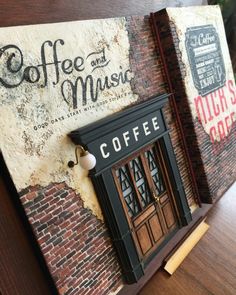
x: 37, y: 155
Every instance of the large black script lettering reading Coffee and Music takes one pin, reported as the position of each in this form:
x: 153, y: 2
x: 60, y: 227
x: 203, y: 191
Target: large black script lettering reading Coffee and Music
x: 80, y: 90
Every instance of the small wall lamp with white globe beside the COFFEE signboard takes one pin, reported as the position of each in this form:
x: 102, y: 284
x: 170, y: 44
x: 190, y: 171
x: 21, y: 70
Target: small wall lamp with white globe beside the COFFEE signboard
x: 87, y: 160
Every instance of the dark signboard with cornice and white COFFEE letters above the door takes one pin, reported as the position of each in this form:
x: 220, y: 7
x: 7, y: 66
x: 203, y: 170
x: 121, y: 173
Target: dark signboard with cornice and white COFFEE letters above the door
x: 115, y: 137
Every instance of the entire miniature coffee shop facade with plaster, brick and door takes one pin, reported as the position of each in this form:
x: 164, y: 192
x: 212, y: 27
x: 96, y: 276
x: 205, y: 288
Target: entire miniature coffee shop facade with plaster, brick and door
x: 153, y: 99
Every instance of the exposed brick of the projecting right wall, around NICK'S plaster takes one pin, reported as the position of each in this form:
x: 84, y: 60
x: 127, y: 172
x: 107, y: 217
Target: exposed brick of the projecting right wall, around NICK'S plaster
x: 214, y: 164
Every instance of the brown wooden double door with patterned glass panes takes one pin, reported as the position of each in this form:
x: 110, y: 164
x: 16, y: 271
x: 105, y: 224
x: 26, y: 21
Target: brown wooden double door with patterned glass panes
x: 145, y: 191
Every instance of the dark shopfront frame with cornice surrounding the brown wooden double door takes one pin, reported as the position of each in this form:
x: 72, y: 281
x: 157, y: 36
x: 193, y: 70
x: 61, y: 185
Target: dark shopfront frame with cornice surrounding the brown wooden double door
x: 92, y: 137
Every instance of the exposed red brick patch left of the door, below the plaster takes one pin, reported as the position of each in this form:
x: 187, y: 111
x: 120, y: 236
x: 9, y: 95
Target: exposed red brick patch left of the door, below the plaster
x: 75, y: 244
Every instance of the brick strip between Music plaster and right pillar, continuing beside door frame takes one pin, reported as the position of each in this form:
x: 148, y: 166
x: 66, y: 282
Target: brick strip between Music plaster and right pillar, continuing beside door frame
x: 150, y: 81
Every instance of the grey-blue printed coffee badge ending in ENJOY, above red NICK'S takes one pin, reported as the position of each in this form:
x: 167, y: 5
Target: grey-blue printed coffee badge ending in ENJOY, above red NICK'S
x: 205, y: 58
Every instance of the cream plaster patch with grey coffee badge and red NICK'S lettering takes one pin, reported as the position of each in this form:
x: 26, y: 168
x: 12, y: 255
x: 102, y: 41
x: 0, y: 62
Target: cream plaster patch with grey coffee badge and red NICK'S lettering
x: 207, y: 74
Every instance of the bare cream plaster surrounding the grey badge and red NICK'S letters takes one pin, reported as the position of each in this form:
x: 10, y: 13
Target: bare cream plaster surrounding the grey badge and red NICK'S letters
x: 186, y: 17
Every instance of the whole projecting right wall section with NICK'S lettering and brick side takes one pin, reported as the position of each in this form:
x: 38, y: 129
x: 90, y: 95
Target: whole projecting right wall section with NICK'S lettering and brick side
x: 205, y: 92
